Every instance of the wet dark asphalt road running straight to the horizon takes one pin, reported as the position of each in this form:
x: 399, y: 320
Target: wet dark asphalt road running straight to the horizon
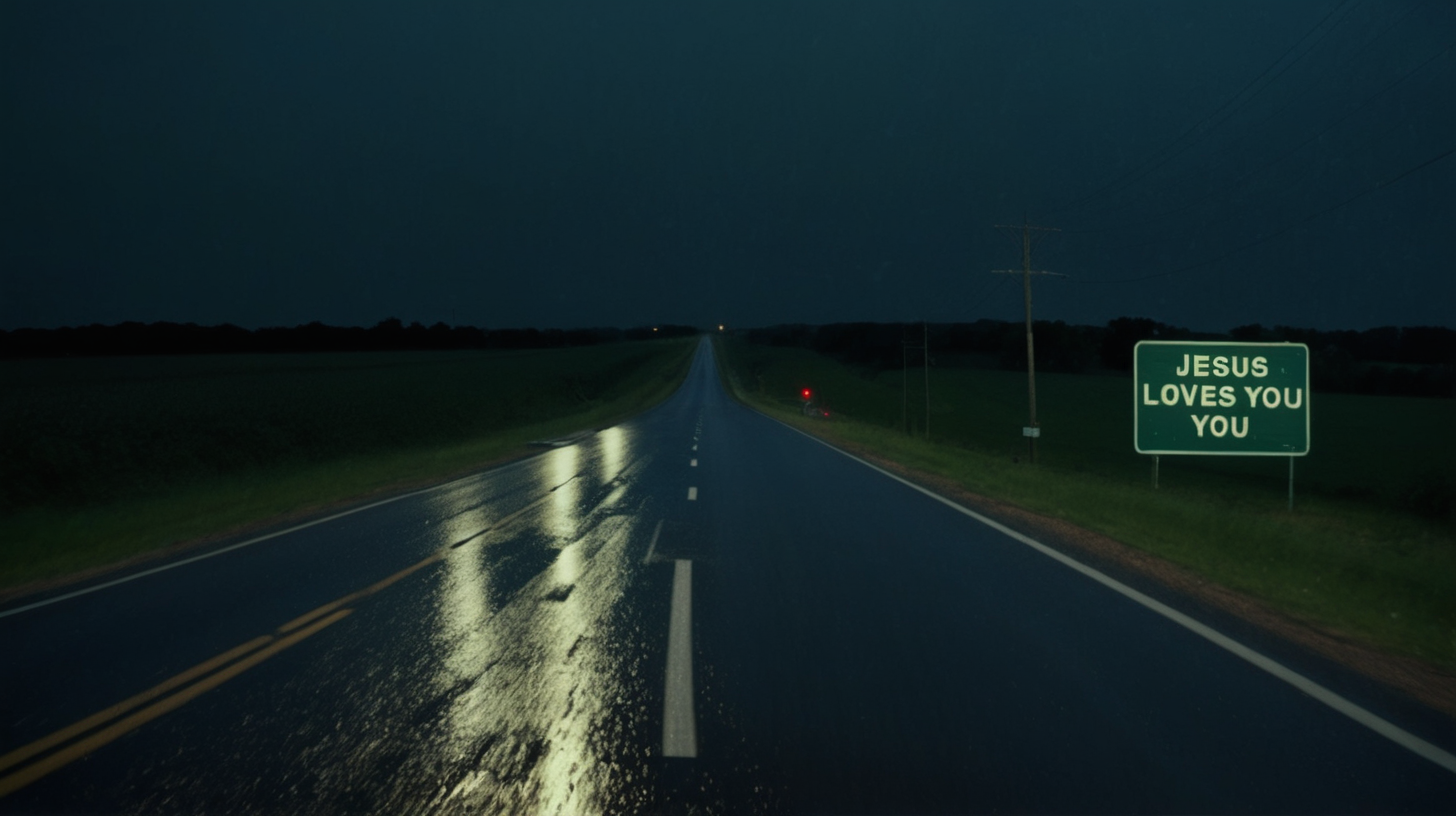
x: 502, y: 645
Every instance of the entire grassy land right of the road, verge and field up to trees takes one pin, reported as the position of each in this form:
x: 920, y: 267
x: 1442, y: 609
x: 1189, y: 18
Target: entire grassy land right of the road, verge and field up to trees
x: 1361, y: 553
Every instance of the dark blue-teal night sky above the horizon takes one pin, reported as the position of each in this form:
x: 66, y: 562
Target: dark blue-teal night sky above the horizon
x: 624, y: 164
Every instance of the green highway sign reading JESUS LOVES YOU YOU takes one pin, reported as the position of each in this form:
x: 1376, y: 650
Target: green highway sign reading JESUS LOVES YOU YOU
x: 1221, y: 399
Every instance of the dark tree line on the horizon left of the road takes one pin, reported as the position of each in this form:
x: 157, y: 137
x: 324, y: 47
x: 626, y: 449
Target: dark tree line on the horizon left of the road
x: 387, y: 336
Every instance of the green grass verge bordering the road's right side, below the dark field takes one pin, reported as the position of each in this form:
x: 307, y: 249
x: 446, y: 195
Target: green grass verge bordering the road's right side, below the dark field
x: 1364, y: 572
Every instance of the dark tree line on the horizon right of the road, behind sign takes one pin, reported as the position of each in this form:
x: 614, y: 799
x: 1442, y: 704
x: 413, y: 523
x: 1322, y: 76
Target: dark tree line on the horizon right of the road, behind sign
x: 1409, y: 362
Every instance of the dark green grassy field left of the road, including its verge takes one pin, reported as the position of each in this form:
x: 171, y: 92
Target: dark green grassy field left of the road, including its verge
x: 108, y: 458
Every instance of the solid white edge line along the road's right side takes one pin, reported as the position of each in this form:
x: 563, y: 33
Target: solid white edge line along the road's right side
x: 1304, y: 684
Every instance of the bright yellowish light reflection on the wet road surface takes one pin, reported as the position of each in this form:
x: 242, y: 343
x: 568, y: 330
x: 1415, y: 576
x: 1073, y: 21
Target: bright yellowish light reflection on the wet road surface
x: 544, y: 703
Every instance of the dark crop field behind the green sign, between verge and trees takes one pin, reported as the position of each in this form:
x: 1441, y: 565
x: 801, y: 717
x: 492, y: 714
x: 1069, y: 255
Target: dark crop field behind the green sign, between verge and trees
x: 1384, y: 451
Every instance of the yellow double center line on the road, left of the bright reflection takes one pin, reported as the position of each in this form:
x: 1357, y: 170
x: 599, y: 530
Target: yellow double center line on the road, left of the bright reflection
x: 174, y: 693
